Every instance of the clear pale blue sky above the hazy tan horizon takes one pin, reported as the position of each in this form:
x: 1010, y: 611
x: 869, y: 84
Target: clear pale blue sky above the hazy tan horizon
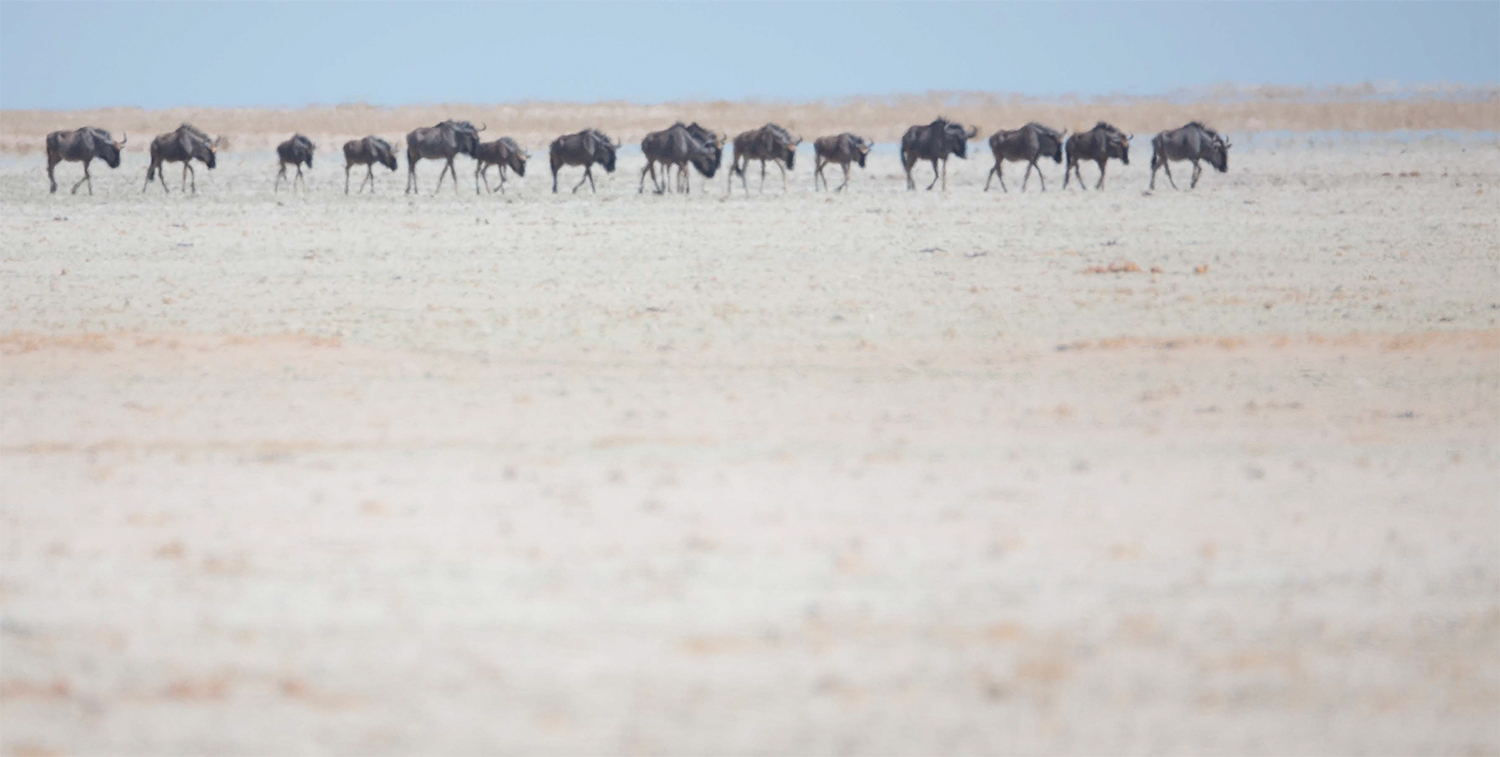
x: 392, y: 53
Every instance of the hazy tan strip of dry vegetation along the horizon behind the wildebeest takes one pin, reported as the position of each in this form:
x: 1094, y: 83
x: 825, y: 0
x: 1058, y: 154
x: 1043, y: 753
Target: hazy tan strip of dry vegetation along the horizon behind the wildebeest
x: 884, y: 119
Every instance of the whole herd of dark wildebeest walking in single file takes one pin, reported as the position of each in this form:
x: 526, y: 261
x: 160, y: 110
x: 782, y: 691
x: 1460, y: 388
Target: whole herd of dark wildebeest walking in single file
x: 680, y: 146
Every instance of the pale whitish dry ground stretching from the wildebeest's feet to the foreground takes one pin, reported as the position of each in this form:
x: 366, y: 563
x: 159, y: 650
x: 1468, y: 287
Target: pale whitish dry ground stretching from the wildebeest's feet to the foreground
x: 875, y: 473
